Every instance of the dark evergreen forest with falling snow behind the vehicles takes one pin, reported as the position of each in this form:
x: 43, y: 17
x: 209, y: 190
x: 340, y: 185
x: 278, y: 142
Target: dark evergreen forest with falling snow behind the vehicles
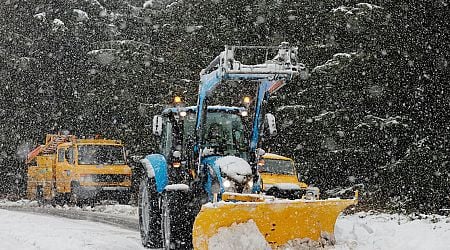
x: 372, y: 114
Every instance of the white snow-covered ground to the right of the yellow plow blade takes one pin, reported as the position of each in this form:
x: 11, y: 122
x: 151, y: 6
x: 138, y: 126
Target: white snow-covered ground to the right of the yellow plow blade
x: 384, y: 231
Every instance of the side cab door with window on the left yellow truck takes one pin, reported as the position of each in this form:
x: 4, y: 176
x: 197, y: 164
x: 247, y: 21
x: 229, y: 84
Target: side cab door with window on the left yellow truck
x: 65, y: 166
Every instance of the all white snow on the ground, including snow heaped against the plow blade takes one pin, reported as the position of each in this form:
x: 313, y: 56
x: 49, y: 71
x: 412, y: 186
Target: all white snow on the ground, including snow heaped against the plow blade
x: 359, y: 231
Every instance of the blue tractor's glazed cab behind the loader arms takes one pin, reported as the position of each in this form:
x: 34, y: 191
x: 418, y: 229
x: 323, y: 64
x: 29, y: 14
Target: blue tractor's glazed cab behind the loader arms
x: 224, y: 131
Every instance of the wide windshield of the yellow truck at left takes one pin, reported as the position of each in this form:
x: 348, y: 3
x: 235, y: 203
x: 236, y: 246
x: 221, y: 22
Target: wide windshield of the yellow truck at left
x: 100, y: 155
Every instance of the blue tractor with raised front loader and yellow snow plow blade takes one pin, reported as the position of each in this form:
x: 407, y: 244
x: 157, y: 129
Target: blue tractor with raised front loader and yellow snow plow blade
x: 205, y: 175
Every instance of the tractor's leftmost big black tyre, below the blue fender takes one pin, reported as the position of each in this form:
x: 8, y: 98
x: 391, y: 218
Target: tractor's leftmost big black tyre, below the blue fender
x: 149, y: 214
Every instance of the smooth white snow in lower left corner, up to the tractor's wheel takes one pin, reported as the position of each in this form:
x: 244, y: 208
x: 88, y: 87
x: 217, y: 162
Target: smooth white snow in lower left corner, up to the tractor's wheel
x: 19, y: 230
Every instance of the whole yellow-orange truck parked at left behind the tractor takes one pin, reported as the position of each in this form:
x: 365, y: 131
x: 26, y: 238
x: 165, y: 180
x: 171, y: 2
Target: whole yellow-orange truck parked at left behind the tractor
x: 67, y: 168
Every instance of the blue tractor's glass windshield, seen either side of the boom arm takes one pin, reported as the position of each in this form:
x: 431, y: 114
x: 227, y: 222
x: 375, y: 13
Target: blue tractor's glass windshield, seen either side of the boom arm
x: 223, y: 131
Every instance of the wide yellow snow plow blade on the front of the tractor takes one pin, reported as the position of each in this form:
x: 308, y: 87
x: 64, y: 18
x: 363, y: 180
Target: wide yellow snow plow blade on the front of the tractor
x: 279, y: 221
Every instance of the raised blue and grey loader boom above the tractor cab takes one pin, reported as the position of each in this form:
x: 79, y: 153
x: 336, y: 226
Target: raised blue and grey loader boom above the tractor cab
x: 270, y: 75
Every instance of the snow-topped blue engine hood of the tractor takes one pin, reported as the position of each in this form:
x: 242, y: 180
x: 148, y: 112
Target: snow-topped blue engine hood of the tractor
x: 232, y: 167
